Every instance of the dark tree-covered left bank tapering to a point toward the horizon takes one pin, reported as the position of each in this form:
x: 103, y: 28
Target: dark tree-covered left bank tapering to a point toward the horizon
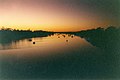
x: 8, y: 35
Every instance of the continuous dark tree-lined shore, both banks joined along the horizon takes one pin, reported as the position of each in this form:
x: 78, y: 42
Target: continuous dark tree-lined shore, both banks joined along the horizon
x: 106, y: 39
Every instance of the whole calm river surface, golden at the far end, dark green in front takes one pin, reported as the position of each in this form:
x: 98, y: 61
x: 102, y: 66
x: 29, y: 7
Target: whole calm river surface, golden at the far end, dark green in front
x: 58, y: 57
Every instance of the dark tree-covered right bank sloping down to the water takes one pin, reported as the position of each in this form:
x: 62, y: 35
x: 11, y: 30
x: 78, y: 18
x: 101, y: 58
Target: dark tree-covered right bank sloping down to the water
x: 107, y: 39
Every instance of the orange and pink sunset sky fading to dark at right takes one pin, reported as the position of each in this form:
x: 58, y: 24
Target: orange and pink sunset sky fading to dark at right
x: 59, y: 15
